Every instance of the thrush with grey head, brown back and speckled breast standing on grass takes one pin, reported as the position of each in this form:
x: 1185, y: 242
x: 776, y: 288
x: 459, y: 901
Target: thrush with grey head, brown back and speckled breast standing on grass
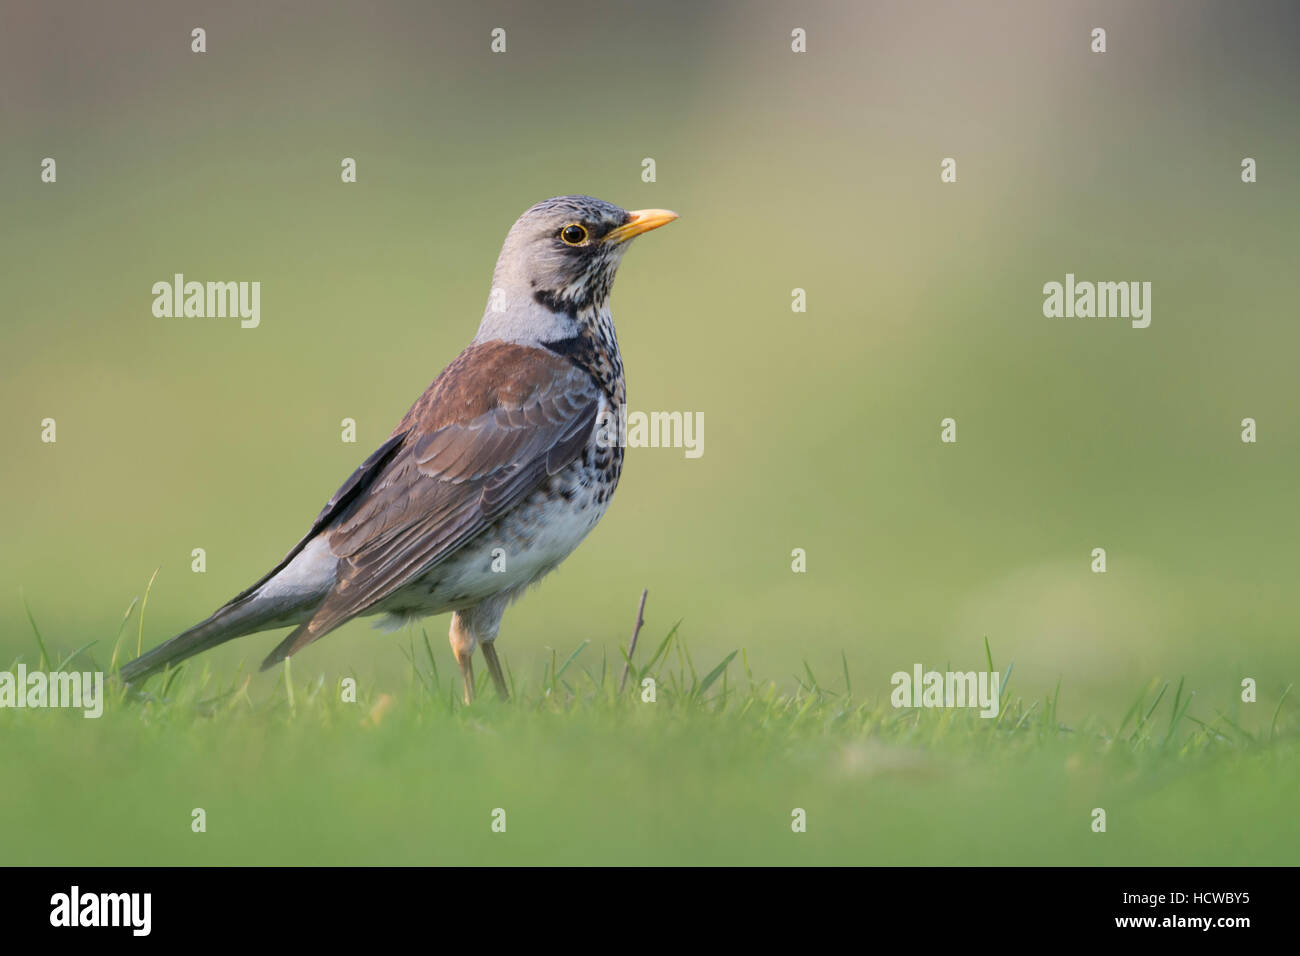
x: 493, y: 477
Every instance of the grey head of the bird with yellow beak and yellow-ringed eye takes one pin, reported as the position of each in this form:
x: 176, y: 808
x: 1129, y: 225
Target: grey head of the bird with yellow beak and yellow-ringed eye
x: 557, y: 267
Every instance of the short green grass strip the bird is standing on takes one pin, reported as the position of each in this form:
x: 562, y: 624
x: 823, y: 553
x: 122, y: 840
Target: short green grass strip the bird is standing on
x: 301, y: 771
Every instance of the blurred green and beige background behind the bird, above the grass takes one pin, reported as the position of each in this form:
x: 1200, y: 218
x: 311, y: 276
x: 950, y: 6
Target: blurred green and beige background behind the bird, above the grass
x: 816, y: 171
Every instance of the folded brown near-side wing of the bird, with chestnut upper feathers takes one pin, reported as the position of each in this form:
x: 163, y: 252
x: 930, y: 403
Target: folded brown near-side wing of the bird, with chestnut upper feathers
x: 492, y: 427
